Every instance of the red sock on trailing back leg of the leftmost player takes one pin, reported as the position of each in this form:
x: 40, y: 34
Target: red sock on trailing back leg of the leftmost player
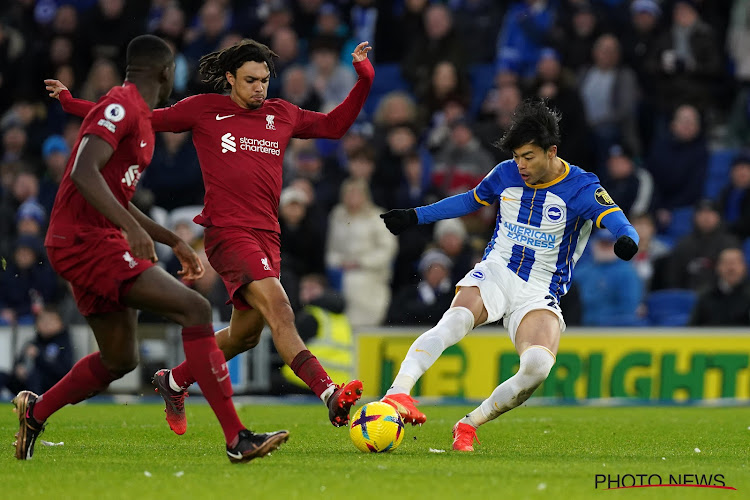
x: 87, y: 378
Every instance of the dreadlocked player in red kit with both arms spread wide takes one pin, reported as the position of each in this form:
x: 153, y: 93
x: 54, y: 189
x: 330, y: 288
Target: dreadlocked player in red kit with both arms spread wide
x: 240, y: 139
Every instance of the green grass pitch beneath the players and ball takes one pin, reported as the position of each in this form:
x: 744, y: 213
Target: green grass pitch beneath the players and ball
x: 553, y: 452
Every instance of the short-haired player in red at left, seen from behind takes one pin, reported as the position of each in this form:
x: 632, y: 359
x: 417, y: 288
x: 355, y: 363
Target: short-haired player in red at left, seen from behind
x: 103, y: 245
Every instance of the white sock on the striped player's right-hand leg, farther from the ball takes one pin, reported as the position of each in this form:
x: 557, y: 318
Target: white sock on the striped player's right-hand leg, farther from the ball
x: 536, y: 362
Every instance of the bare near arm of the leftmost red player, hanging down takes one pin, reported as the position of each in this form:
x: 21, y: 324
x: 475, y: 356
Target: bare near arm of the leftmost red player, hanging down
x: 93, y: 153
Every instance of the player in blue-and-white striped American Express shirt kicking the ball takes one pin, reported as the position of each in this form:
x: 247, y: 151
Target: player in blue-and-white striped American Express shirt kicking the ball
x: 547, y: 209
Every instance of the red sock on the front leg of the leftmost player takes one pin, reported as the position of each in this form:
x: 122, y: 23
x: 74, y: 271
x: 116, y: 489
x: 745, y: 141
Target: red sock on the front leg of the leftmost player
x: 207, y: 364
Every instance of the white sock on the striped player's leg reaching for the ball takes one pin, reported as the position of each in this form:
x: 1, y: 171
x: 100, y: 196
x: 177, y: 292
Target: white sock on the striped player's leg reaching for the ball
x: 452, y: 327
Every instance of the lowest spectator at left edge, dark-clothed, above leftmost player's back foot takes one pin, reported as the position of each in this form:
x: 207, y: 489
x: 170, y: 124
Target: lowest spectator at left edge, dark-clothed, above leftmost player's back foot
x: 43, y: 361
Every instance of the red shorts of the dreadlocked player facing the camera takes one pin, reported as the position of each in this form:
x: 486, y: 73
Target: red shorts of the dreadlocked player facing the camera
x: 241, y: 255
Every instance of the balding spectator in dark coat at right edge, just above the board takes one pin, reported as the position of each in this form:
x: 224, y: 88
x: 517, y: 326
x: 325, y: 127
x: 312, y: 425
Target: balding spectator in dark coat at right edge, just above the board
x: 727, y: 303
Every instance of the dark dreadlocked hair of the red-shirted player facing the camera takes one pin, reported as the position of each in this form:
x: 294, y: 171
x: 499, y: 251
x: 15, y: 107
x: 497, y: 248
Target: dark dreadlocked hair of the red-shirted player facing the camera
x: 213, y: 67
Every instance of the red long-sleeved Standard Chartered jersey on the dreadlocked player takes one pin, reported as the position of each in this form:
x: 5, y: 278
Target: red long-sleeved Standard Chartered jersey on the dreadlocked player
x: 241, y: 150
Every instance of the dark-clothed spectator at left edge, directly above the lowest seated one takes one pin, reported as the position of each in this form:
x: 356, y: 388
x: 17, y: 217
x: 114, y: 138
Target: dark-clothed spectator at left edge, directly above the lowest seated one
x: 27, y: 283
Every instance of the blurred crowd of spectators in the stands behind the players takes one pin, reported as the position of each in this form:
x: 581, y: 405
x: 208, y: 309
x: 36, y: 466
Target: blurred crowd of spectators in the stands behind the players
x: 654, y: 95
